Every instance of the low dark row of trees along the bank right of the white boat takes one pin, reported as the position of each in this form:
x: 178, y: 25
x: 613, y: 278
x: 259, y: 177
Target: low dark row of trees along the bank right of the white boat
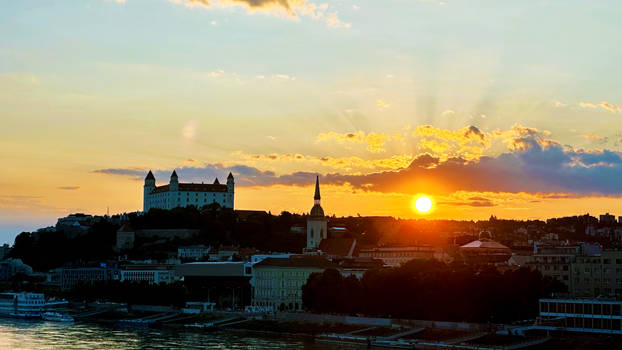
x: 132, y: 293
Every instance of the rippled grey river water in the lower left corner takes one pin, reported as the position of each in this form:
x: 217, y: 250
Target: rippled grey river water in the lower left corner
x: 35, y: 335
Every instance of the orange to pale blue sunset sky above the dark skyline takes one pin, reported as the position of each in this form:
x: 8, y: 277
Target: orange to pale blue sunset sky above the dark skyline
x: 511, y: 108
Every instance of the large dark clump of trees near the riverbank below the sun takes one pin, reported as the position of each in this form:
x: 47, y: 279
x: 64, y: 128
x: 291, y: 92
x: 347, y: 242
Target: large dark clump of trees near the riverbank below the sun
x: 431, y: 290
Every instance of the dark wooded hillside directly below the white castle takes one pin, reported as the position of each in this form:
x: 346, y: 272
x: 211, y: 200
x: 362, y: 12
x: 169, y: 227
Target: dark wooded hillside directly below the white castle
x: 217, y: 226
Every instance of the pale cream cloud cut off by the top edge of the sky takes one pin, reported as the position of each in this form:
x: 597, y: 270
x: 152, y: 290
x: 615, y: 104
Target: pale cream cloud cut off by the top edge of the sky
x: 293, y: 9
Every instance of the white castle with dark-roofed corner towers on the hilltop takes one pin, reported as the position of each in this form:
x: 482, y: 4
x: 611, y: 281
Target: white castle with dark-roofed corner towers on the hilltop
x: 177, y: 194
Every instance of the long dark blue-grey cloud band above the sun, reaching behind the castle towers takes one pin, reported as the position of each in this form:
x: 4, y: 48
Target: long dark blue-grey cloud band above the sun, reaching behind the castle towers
x: 538, y: 166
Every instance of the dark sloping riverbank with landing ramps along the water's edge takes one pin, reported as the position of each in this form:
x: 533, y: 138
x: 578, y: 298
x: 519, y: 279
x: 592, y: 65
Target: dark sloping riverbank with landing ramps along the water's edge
x: 359, y: 332
